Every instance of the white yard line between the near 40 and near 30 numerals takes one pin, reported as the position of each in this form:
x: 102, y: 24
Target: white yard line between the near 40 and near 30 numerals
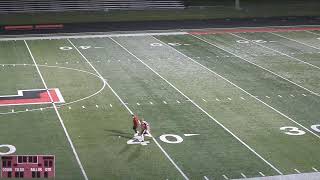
x: 195, y: 104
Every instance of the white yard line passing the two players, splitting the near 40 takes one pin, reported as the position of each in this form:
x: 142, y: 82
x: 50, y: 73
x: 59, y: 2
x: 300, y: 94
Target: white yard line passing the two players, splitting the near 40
x: 125, y: 105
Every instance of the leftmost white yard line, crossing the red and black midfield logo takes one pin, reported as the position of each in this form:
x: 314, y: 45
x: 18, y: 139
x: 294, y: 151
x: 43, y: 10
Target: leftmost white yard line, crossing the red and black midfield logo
x: 58, y: 114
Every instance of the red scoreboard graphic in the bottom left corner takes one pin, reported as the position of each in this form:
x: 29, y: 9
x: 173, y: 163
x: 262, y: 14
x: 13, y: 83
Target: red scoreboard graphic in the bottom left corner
x: 28, y: 166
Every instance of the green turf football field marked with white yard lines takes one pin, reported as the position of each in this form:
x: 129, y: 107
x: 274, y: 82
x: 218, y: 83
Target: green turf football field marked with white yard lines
x: 220, y: 106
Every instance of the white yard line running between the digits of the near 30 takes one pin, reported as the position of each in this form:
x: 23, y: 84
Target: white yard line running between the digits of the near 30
x: 243, y: 90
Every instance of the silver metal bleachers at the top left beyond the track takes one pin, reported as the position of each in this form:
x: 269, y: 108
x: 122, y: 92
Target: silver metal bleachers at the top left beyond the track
x: 7, y: 6
